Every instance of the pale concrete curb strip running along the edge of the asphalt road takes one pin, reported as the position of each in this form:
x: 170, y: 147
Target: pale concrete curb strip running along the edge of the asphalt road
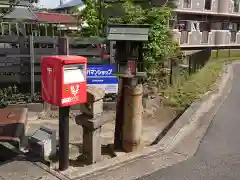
x: 183, y: 138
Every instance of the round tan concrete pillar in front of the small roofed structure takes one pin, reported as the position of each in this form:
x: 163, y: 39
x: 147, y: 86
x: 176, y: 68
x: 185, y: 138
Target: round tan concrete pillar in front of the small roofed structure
x: 132, y: 121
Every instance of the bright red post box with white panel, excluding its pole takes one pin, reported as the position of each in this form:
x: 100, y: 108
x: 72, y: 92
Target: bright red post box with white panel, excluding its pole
x: 64, y: 80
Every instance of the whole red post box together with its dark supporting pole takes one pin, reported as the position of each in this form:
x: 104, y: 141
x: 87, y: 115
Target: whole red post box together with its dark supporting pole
x: 64, y: 84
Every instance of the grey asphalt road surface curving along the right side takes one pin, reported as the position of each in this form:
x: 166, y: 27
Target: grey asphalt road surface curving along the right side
x: 218, y: 156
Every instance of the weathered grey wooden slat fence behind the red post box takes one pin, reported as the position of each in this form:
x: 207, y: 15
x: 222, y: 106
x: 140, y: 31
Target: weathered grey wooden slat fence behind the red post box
x: 20, y: 61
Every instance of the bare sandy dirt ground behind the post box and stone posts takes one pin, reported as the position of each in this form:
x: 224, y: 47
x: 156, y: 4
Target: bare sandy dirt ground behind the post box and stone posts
x: 155, y: 120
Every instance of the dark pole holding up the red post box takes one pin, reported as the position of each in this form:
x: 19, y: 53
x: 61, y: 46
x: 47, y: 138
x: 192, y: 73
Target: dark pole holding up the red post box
x: 63, y: 138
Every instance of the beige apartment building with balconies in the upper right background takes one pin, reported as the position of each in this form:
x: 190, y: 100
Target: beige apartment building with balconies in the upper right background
x: 207, y: 23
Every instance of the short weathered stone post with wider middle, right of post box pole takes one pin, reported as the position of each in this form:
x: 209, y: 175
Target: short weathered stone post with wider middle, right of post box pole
x: 92, y: 120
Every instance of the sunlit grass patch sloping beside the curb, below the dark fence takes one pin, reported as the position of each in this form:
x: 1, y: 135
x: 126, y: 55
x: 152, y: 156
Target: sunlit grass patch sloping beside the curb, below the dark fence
x: 195, y: 86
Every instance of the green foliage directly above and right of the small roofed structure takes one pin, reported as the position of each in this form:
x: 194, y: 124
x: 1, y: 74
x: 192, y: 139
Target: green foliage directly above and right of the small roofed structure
x: 160, y: 44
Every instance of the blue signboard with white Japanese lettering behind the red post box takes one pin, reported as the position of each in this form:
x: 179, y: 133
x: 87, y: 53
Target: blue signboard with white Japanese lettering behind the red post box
x: 102, y: 76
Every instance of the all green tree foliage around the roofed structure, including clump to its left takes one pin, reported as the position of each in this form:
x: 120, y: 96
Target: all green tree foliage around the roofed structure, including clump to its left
x: 160, y: 45
